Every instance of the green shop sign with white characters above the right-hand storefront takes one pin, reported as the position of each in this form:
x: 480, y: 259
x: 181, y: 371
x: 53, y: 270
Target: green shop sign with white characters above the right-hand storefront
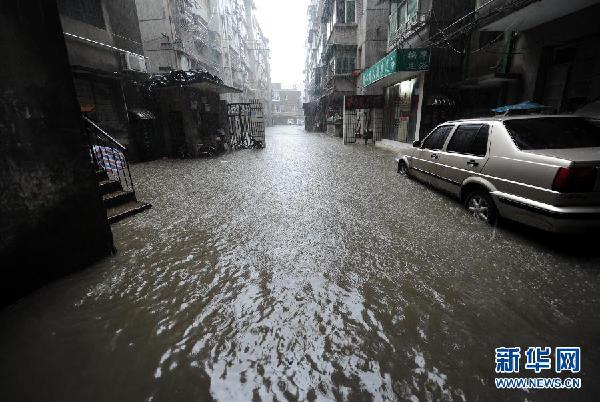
x: 398, y: 60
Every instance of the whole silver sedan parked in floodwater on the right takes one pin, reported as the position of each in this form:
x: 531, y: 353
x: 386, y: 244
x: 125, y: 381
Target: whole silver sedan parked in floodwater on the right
x: 543, y: 171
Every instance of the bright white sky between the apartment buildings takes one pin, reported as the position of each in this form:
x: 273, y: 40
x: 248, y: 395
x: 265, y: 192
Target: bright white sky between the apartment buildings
x: 284, y: 23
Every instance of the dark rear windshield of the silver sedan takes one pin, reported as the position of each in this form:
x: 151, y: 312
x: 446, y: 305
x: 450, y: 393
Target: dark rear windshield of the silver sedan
x: 553, y: 133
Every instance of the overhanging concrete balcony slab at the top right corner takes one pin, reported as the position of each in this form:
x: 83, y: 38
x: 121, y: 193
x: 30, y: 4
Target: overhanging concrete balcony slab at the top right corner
x: 537, y: 13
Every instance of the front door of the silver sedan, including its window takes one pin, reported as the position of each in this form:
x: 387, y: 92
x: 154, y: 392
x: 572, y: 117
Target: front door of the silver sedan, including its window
x: 425, y: 159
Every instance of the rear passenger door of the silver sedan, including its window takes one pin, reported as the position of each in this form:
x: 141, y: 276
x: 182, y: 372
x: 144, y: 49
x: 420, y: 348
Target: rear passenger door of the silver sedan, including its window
x: 465, y: 155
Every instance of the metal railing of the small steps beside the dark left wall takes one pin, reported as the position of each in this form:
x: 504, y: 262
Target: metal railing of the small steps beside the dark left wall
x: 108, y: 155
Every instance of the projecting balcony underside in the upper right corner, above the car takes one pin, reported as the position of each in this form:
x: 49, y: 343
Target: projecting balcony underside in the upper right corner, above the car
x: 522, y: 15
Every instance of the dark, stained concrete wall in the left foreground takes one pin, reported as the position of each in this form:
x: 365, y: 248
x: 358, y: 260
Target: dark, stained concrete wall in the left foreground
x: 52, y: 220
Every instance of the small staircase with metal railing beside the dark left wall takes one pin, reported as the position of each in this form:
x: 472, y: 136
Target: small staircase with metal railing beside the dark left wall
x: 112, y: 174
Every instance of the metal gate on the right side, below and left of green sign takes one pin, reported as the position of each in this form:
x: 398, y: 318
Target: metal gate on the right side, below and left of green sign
x: 363, y: 118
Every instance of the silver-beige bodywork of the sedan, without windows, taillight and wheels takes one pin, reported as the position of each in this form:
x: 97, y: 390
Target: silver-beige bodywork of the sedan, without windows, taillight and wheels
x: 522, y: 183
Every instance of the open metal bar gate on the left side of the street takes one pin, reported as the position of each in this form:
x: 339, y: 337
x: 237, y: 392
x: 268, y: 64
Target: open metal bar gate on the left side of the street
x: 246, y: 124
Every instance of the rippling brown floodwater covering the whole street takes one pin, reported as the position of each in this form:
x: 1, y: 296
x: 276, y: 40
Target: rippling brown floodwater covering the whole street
x: 308, y: 270
